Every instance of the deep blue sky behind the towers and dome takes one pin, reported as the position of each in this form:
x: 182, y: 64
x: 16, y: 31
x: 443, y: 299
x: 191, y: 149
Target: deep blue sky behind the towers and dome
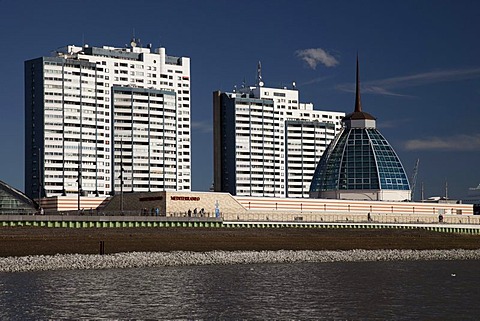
x: 419, y: 65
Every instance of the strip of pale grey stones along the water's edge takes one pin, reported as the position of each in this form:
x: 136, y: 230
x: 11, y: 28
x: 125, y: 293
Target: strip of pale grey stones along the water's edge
x: 182, y: 258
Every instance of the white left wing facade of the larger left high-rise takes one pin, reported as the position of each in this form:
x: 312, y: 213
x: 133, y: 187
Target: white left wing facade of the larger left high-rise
x: 74, y: 129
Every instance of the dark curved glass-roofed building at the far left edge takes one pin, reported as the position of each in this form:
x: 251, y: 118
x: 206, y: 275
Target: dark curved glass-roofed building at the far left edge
x: 13, y: 201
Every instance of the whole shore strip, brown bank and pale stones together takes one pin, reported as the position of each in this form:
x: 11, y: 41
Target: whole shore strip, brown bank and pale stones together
x: 37, y: 249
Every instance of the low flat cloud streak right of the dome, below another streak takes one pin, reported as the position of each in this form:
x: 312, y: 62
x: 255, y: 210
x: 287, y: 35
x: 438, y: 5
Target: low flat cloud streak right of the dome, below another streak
x: 448, y: 144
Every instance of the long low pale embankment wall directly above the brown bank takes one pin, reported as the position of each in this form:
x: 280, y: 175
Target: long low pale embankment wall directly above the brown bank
x: 357, y: 222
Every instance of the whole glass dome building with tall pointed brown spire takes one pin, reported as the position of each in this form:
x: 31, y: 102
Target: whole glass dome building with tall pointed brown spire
x: 359, y: 163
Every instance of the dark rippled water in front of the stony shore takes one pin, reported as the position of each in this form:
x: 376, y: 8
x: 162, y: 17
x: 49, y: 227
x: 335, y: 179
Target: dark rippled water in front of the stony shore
x: 405, y: 290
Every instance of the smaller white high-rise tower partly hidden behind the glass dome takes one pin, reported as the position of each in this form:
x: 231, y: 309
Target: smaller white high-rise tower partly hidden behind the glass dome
x: 267, y: 143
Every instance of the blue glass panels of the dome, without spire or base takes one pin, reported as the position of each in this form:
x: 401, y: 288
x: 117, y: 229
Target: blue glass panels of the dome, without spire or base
x: 359, y: 159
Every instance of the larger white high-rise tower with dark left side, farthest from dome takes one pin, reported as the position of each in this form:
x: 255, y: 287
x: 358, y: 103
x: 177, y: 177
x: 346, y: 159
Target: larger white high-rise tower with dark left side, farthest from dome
x: 103, y: 120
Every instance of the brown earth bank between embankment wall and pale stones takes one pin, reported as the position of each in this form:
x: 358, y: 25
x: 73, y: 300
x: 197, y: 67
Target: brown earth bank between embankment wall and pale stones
x: 24, y: 241
